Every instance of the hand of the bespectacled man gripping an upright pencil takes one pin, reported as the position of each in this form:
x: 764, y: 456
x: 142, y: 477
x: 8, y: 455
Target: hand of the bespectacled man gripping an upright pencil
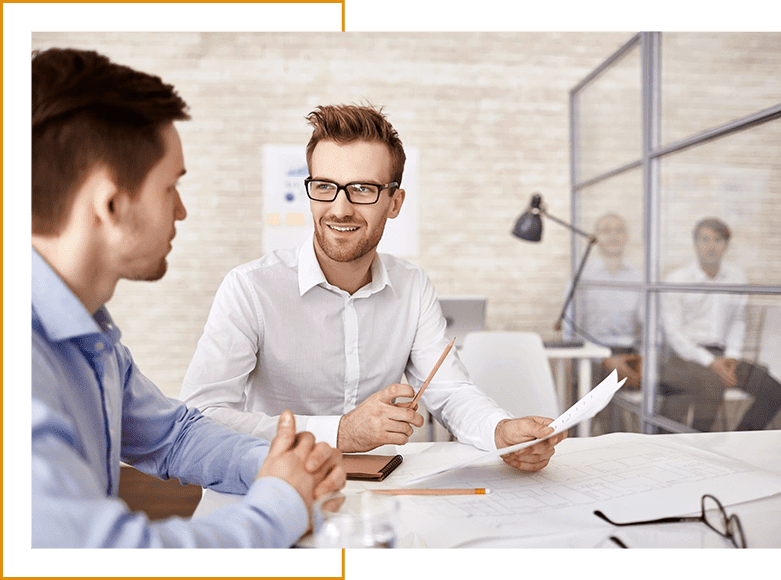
x: 379, y: 421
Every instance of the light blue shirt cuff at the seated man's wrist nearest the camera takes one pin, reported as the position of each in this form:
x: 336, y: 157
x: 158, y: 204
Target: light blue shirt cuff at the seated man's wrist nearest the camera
x: 281, y: 504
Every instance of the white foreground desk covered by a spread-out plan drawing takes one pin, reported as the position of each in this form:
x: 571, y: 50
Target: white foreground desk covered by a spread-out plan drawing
x: 442, y: 522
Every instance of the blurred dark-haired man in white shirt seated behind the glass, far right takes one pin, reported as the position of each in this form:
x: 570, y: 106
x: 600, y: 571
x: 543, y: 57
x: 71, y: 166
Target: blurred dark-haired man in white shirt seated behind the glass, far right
x: 704, y: 338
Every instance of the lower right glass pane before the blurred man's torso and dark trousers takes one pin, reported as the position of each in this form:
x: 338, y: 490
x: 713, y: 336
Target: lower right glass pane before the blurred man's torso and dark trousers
x: 720, y: 360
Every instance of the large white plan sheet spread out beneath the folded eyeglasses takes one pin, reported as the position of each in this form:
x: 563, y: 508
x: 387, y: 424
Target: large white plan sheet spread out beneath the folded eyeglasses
x: 628, y: 476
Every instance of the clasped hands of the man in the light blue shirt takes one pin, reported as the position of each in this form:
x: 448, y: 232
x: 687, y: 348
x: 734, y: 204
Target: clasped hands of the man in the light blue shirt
x: 313, y: 469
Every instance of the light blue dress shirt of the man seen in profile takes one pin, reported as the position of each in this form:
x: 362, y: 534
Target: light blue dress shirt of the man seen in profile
x: 91, y: 407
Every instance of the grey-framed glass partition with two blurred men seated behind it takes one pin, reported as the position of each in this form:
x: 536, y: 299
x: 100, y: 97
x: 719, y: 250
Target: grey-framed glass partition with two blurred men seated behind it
x: 693, y: 307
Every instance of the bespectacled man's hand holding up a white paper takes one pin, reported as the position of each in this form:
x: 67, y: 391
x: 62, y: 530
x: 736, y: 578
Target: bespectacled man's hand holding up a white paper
x: 512, y: 431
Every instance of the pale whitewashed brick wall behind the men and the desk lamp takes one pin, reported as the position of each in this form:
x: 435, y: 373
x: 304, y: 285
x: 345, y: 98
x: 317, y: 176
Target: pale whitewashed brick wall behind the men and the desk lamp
x: 489, y: 117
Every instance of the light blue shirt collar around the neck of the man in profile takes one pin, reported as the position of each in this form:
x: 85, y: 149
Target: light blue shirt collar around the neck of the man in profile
x: 57, y: 309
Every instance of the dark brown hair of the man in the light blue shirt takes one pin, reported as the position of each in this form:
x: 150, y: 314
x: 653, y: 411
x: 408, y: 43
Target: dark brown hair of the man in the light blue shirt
x: 87, y: 112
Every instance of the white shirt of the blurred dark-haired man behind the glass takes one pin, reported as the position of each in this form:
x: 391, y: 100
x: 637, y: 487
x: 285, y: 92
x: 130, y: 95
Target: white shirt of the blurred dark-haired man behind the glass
x: 694, y: 319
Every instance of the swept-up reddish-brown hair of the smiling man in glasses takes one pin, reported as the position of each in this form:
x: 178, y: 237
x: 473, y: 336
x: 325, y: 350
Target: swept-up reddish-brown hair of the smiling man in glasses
x: 349, y: 123
